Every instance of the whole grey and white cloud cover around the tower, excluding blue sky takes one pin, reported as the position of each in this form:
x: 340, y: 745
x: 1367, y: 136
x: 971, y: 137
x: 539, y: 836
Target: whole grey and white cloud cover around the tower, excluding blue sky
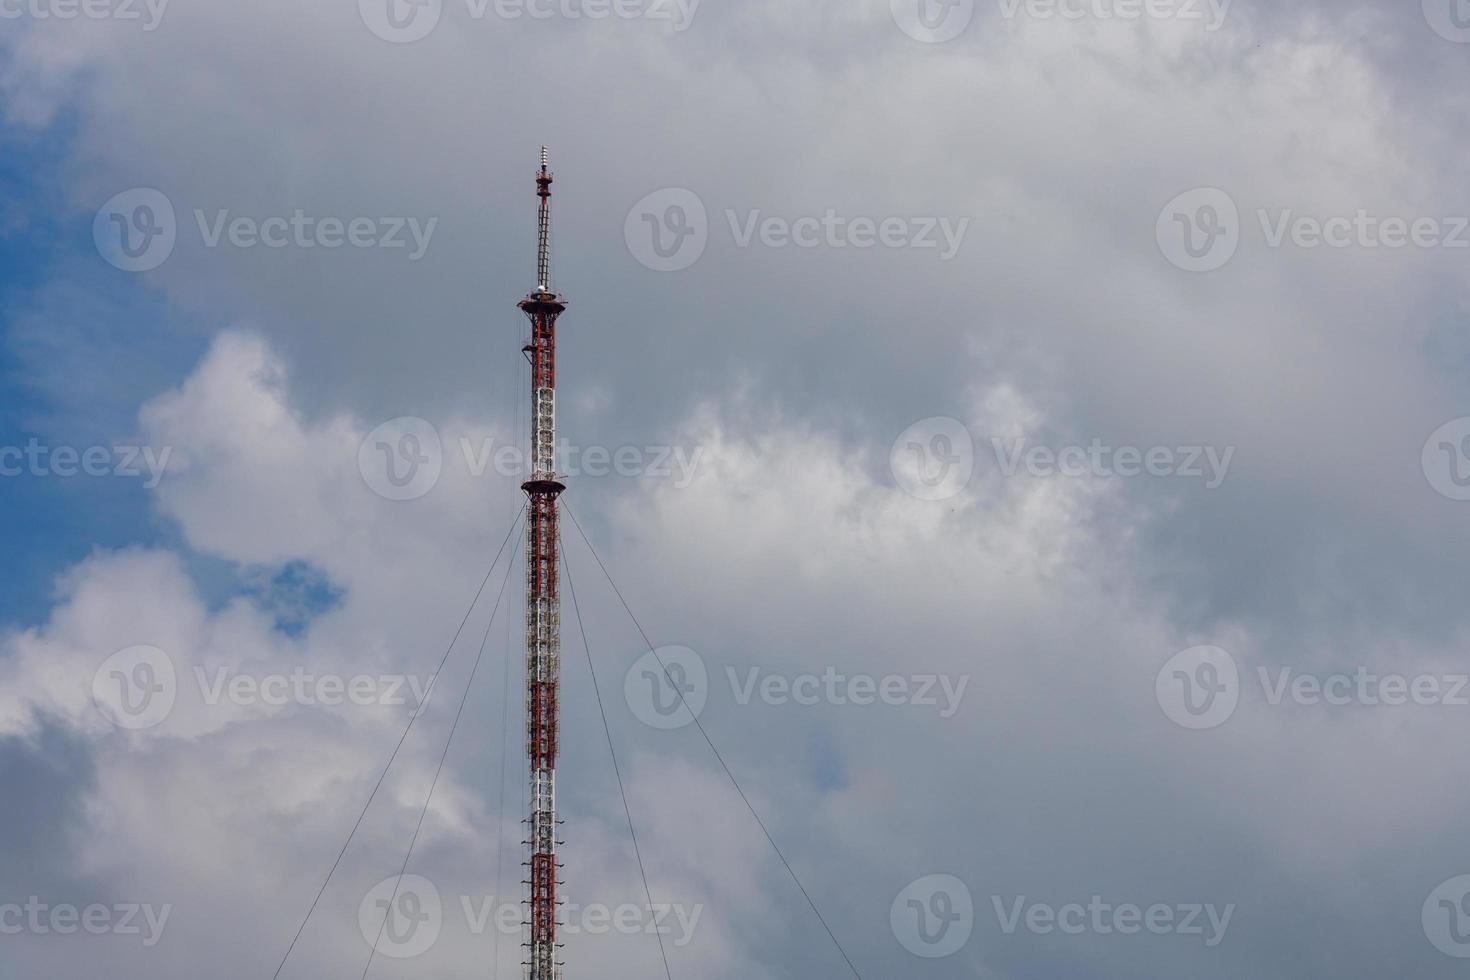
x: 792, y: 552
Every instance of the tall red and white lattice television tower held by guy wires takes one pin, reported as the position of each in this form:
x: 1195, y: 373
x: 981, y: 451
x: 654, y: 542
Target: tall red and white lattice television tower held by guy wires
x: 543, y: 603
